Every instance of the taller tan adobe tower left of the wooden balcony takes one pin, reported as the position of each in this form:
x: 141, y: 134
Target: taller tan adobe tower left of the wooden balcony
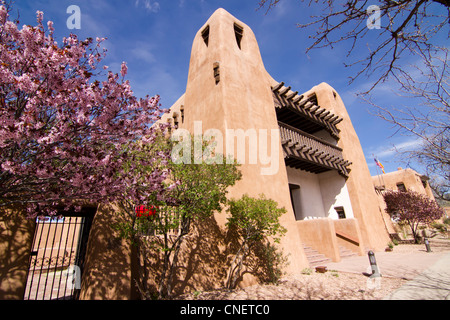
x: 241, y: 100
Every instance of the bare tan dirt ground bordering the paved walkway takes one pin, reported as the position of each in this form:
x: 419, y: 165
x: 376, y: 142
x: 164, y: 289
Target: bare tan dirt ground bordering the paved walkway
x: 310, y: 285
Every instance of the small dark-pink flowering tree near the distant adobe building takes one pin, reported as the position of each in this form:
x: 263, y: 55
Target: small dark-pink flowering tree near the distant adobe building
x: 413, y: 208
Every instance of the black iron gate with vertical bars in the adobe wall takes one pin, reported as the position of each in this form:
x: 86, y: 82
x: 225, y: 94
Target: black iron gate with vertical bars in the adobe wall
x: 57, y: 256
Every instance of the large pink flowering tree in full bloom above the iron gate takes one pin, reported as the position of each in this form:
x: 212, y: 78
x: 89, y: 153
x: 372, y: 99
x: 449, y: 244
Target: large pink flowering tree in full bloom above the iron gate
x: 66, y: 127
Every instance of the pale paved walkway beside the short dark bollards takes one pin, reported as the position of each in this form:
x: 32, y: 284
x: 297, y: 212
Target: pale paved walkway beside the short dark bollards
x: 428, y: 272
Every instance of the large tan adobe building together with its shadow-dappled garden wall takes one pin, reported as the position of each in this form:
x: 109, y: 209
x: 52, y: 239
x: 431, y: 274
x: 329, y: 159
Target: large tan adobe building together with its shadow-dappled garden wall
x: 299, y: 149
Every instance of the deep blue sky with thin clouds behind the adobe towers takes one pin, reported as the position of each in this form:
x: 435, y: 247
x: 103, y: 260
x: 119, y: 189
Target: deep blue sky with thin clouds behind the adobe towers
x: 154, y: 37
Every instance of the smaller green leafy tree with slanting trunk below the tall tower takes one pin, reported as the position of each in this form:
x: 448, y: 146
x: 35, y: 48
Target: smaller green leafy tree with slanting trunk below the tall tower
x: 254, y: 219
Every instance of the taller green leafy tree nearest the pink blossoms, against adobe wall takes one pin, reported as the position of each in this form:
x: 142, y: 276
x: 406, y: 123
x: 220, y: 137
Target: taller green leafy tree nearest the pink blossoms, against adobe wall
x: 194, y: 192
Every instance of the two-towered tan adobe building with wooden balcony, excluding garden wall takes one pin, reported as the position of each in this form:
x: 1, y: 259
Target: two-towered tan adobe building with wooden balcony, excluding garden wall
x: 322, y: 178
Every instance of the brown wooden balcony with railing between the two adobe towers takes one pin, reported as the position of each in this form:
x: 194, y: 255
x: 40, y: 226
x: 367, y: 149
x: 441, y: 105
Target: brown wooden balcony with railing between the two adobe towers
x: 307, y: 152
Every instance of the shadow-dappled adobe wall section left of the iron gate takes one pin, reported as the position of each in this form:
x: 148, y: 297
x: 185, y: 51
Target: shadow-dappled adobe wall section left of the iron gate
x: 16, y: 237
